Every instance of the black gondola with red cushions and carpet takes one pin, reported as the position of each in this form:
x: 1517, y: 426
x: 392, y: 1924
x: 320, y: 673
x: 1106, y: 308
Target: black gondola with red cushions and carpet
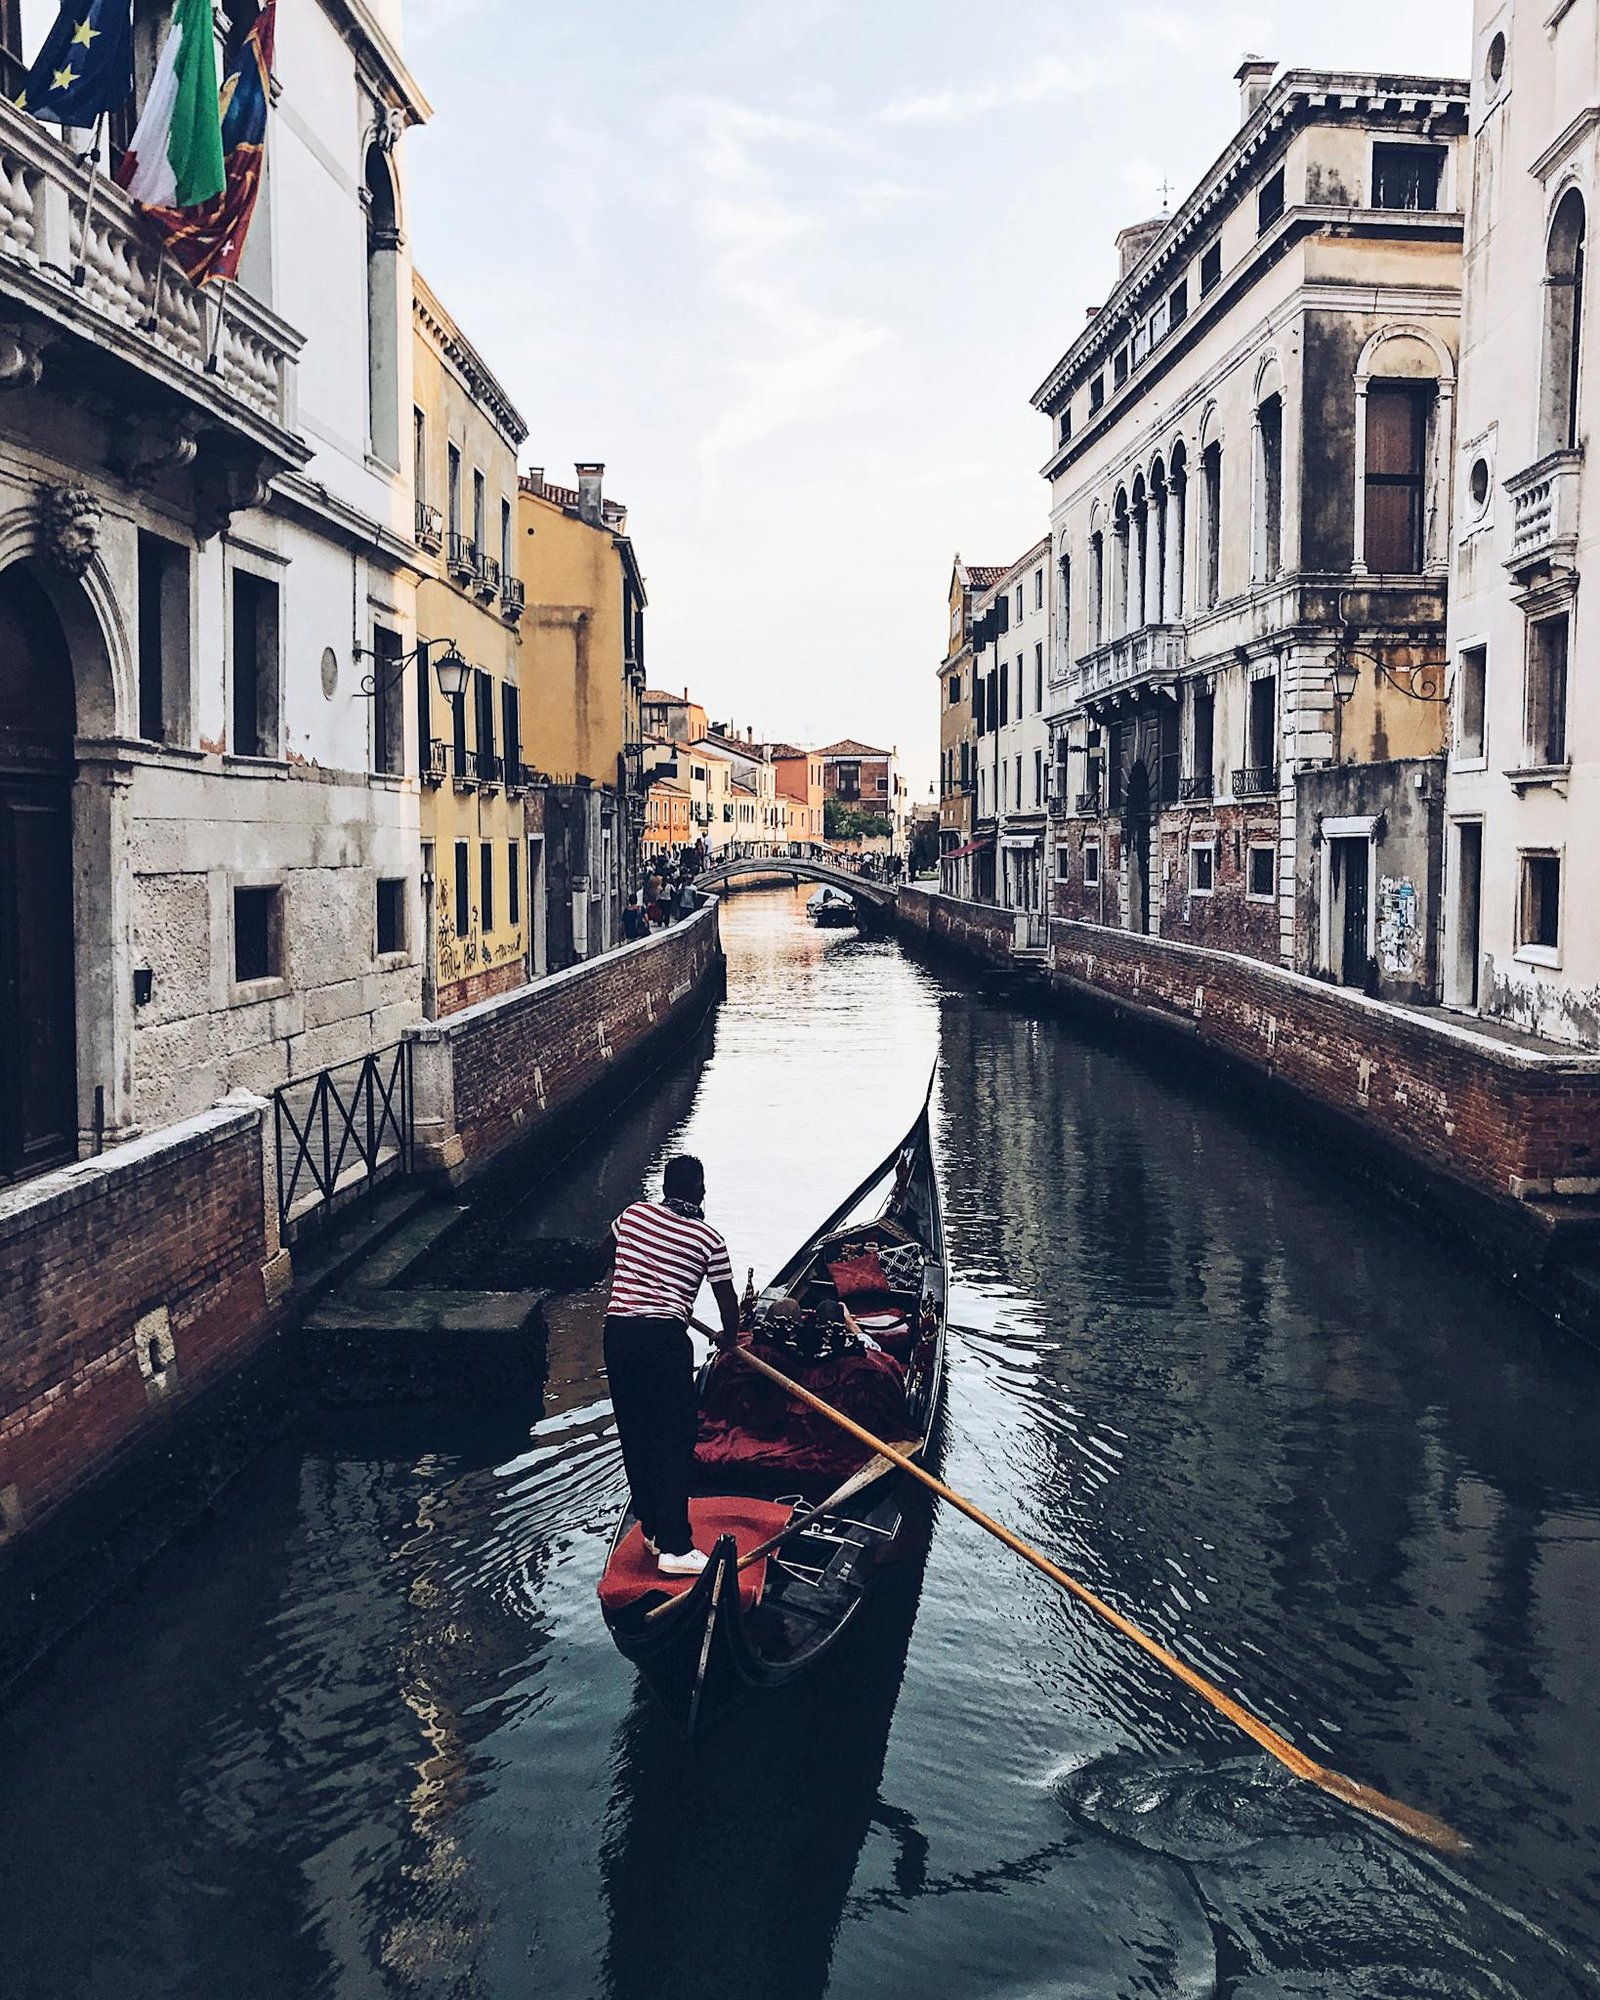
x: 773, y: 1483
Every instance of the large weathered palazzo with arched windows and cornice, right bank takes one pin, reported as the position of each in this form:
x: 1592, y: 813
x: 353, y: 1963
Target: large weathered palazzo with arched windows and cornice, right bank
x: 1251, y: 477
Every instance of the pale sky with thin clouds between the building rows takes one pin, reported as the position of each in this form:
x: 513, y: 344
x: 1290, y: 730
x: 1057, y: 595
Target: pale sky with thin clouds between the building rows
x: 793, y: 273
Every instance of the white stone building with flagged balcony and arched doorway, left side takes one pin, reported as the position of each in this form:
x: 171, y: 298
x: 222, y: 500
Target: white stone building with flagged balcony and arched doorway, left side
x: 209, y: 829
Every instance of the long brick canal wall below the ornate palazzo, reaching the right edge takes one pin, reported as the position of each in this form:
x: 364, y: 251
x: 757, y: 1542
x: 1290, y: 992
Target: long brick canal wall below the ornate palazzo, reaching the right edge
x: 1503, y: 1115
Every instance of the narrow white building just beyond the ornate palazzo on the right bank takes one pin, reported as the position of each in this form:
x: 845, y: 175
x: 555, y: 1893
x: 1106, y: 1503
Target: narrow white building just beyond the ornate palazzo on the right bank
x: 1011, y: 697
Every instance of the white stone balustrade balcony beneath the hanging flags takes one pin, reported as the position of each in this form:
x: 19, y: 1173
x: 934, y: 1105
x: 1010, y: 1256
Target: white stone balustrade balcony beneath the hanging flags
x: 125, y: 329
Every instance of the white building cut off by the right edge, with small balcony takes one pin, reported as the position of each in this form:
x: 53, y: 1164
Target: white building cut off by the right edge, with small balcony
x: 1523, y: 943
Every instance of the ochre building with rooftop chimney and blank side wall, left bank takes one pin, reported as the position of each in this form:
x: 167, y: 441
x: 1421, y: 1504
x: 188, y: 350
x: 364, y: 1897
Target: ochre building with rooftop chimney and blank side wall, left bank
x: 585, y: 679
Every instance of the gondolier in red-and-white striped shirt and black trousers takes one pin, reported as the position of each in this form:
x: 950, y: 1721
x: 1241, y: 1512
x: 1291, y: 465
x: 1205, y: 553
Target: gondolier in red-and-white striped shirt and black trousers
x: 665, y: 1253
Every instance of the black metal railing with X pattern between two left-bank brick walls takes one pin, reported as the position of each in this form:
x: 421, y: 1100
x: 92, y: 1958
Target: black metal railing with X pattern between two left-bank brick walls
x: 343, y: 1131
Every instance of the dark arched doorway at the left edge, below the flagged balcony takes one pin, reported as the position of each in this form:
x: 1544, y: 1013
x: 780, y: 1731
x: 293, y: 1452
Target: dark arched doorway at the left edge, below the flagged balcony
x: 39, y: 1097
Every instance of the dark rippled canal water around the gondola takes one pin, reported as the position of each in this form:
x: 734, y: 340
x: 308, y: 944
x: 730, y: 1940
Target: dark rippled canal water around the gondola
x: 365, y: 1735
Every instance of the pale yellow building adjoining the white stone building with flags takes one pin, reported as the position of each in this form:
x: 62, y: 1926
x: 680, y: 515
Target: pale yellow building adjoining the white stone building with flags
x: 481, y: 849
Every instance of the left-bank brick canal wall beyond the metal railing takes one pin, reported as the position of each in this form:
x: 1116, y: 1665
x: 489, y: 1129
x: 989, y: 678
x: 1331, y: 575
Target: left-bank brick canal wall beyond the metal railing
x: 495, y: 1073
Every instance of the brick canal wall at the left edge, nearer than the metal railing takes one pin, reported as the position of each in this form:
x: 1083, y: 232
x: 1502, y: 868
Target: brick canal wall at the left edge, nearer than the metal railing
x: 127, y: 1285
